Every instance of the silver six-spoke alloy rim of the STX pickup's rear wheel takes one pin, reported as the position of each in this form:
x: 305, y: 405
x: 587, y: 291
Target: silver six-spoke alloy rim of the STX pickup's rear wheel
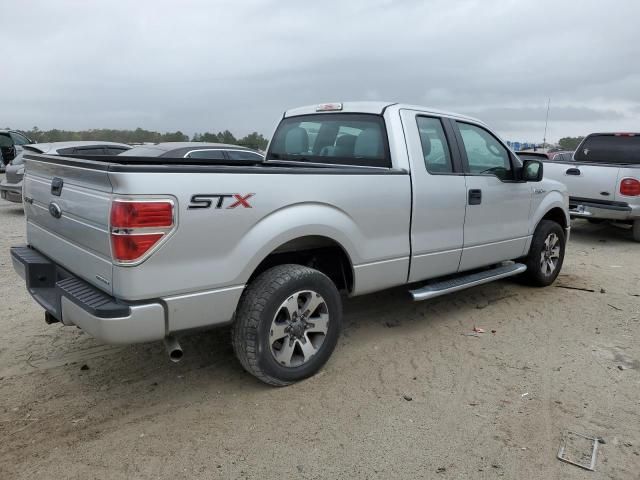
x: 299, y: 328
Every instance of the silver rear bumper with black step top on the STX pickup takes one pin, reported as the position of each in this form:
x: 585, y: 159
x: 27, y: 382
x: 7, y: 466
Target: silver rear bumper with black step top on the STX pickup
x: 73, y: 301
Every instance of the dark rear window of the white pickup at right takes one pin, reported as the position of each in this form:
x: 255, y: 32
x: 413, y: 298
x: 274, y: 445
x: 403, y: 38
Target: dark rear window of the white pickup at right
x: 610, y: 149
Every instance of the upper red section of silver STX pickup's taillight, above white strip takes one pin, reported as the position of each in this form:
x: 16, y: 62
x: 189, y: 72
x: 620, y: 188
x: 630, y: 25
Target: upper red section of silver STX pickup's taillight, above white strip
x: 141, y: 214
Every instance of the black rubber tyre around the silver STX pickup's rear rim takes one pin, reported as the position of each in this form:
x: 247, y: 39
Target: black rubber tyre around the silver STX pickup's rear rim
x: 261, y: 301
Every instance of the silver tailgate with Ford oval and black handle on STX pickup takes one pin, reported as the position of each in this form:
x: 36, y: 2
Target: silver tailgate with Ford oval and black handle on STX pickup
x: 67, y: 211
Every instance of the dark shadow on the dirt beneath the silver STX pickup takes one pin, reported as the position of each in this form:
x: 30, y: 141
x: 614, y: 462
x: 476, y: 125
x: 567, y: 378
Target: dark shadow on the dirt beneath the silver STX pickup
x: 209, y: 362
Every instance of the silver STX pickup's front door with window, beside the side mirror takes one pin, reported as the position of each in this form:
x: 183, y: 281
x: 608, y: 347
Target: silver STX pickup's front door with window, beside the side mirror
x: 496, y: 226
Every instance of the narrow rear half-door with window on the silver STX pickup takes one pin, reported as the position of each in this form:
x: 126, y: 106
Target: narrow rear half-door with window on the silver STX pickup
x: 439, y: 196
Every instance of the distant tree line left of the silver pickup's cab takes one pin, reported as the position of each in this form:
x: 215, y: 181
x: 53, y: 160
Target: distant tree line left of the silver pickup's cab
x: 253, y: 140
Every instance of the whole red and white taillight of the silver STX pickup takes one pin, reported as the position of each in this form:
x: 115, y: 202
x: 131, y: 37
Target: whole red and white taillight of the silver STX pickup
x: 137, y: 226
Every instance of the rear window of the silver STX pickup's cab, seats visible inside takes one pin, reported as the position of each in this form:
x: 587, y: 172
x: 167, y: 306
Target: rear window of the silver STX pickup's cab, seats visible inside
x: 343, y: 139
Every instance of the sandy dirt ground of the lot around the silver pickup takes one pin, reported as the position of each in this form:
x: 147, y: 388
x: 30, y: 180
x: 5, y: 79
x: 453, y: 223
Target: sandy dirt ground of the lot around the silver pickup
x: 407, y: 393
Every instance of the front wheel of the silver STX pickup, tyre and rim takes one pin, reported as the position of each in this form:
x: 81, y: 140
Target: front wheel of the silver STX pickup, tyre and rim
x: 546, y: 254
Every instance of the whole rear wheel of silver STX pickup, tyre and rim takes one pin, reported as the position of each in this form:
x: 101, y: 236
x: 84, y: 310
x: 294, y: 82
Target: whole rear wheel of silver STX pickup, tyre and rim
x: 287, y: 324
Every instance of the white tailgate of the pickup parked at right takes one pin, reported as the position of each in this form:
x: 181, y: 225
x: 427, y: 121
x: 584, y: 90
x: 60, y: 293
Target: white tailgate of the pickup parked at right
x: 596, y: 182
